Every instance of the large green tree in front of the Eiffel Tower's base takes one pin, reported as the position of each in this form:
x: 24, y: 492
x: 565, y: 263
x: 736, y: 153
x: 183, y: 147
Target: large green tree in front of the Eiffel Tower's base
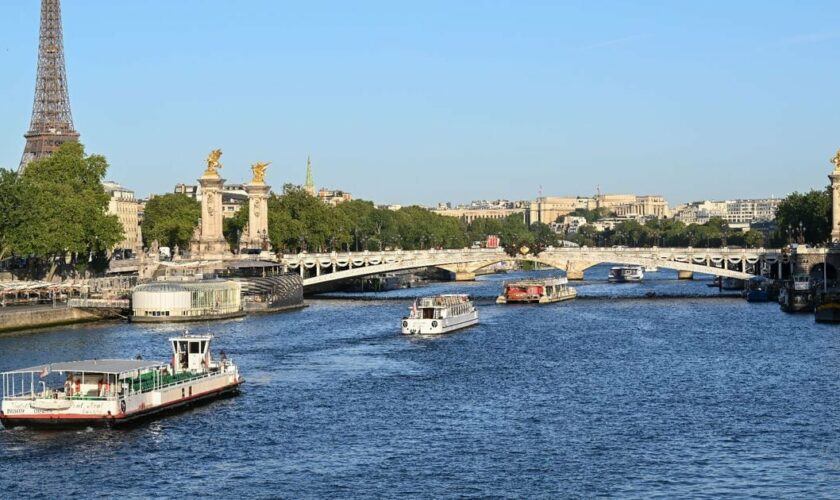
x: 62, y: 209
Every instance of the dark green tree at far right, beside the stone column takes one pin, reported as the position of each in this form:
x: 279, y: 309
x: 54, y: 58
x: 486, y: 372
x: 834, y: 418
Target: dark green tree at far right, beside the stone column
x: 812, y: 209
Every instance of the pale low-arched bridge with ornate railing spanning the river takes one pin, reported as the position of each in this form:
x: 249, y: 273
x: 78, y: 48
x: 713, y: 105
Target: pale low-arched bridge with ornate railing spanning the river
x: 319, y: 268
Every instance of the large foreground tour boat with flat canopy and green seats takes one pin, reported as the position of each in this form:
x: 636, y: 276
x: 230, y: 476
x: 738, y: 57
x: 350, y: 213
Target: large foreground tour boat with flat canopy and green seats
x: 114, y: 392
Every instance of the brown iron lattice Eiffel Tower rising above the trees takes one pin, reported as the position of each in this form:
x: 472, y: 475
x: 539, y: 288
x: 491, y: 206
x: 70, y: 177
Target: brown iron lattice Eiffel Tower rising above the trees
x: 52, y: 123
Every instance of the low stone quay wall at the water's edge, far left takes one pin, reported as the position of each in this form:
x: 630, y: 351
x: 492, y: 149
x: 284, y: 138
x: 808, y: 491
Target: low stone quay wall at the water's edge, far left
x: 44, y: 316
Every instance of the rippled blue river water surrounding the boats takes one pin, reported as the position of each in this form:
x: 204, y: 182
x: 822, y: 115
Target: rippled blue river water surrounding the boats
x: 613, y: 394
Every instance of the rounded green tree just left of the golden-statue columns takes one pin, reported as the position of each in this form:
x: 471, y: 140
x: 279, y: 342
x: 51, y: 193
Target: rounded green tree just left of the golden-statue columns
x: 170, y: 219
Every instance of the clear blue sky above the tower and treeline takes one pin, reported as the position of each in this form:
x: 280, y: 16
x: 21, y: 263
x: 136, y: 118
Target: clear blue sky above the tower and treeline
x: 431, y: 101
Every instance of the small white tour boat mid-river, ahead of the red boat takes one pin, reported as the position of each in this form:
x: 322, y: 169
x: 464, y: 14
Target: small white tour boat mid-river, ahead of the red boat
x: 440, y: 314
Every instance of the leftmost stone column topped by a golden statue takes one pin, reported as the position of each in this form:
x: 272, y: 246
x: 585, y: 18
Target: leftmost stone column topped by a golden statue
x: 209, y: 241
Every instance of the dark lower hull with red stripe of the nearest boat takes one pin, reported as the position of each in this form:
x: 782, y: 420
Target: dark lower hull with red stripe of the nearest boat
x: 58, y: 421
